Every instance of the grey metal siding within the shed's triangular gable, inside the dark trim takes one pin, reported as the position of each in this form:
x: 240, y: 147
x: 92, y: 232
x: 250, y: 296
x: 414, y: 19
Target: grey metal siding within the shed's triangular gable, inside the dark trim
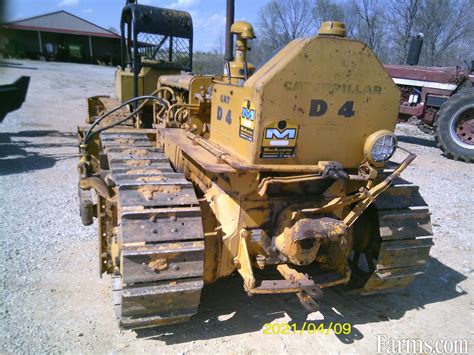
x: 61, y: 20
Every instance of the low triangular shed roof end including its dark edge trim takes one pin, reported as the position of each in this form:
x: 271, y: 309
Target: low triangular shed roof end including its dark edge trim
x: 60, y: 22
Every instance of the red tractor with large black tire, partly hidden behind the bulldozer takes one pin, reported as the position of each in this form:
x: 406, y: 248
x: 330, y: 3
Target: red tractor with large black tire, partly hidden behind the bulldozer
x: 442, y: 98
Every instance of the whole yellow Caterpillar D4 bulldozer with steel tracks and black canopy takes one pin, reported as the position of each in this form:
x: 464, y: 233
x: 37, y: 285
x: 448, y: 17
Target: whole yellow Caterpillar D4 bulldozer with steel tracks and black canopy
x: 280, y: 173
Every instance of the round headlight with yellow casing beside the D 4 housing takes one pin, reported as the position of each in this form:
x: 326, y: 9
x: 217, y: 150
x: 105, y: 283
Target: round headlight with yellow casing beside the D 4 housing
x: 380, y: 146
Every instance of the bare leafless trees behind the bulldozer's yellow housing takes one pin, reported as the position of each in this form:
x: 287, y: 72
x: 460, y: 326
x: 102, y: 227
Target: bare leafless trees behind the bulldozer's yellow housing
x: 386, y: 26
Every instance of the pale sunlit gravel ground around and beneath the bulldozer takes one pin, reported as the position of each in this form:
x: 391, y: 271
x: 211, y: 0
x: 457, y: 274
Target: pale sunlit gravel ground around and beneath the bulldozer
x: 52, y: 299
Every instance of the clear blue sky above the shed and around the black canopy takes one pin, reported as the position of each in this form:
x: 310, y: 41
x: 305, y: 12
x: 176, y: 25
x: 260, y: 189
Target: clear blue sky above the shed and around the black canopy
x: 208, y: 15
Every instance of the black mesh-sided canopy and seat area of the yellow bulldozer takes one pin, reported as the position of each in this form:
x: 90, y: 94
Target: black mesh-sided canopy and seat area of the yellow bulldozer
x: 154, y: 42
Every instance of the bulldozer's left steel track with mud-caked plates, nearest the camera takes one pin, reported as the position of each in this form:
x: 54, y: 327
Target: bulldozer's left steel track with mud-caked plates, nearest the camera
x: 159, y: 234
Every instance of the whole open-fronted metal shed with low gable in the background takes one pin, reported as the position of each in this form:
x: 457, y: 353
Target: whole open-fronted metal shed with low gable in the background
x: 59, y: 36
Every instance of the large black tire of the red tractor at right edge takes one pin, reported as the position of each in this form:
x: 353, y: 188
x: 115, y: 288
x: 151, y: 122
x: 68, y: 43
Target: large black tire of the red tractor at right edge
x: 459, y: 106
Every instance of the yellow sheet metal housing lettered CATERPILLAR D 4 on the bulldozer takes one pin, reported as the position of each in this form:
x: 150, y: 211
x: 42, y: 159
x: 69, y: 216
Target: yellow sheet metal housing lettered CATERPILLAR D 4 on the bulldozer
x: 318, y: 99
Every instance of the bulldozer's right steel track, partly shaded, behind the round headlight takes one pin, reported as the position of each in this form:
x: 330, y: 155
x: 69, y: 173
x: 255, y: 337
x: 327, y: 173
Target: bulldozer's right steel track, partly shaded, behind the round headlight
x: 404, y: 240
